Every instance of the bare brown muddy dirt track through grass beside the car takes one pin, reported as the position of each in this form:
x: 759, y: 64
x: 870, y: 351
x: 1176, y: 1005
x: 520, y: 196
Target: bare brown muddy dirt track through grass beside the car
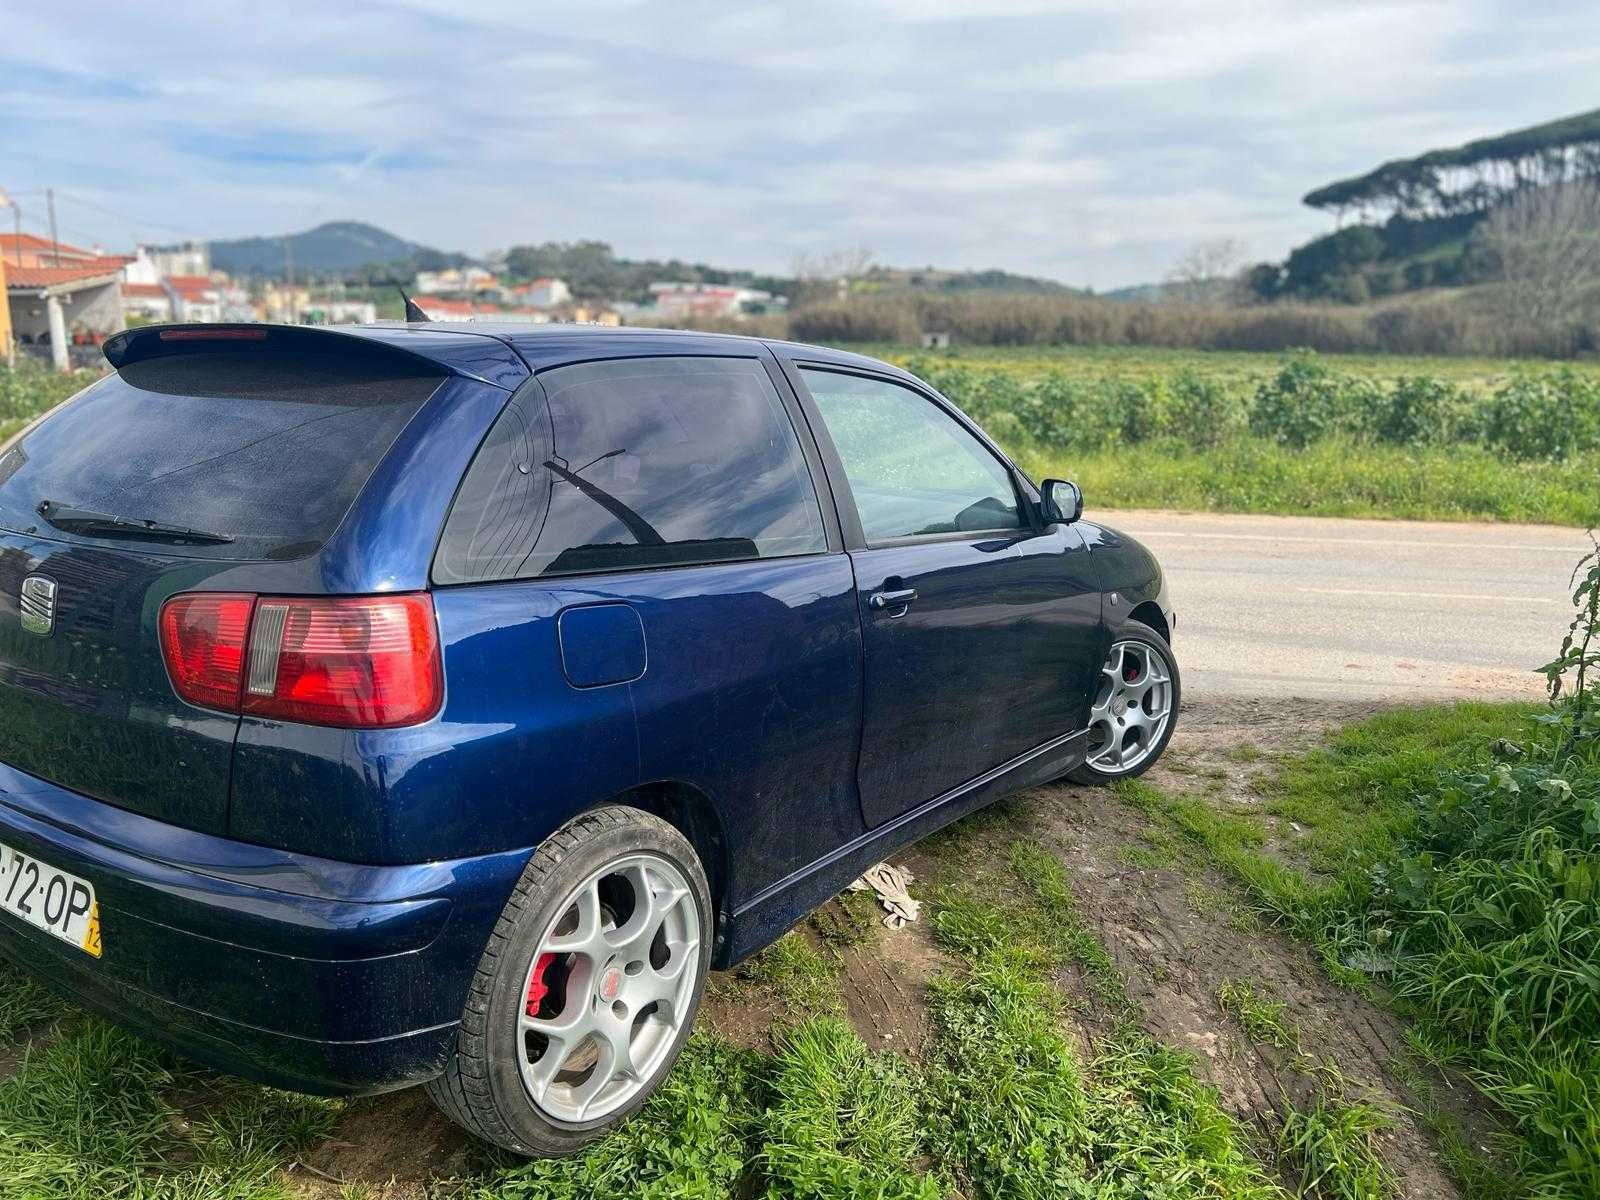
x: 1178, y: 934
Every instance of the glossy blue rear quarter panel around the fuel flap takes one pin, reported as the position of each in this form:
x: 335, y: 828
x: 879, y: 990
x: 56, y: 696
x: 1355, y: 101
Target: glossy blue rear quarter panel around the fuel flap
x: 750, y: 697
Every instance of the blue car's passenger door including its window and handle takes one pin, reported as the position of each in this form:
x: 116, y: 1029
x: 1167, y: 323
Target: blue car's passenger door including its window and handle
x: 982, y: 628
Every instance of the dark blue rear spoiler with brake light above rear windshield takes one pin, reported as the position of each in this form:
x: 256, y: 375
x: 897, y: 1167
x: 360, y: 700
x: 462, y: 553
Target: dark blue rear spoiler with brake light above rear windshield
x: 471, y: 356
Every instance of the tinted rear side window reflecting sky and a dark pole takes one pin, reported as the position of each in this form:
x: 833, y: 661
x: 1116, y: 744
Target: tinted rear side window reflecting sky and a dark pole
x: 634, y: 463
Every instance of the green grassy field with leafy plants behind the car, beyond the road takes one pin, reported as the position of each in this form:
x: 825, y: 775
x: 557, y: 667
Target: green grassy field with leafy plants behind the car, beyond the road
x: 1334, y: 436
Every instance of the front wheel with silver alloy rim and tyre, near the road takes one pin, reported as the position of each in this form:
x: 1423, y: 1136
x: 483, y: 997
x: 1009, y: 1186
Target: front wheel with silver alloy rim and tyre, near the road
x: 1135, y: 708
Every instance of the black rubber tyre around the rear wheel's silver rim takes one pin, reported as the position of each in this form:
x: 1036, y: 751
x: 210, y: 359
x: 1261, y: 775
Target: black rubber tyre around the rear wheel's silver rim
x: 482, y: 1087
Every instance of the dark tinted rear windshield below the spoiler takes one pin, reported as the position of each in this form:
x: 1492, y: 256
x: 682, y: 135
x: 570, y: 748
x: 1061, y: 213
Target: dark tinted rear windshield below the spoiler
x: 265, y: 449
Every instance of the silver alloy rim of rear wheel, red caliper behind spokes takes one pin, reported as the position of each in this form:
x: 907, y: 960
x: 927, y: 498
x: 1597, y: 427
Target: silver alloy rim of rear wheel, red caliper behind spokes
x: 609, y: 990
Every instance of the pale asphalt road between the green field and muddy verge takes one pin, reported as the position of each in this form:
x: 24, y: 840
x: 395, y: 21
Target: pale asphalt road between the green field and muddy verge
x: 1361, y: 609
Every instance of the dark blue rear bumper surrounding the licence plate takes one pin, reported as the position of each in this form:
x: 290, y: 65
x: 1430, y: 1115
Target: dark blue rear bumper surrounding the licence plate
x: 297, y: 972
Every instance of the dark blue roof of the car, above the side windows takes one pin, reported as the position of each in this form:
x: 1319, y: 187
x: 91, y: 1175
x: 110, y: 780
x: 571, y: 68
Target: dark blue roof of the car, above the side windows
x: 543, y: 346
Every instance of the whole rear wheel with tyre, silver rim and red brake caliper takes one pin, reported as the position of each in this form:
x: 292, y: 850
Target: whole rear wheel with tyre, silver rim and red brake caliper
x: 588, y: 988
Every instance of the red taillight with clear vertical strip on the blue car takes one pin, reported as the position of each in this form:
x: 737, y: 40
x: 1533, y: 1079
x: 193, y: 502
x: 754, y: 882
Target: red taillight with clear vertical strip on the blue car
x: 356, y: 663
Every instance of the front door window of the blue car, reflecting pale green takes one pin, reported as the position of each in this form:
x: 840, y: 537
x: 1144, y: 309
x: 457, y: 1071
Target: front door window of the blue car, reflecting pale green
x: 911, y: 466
